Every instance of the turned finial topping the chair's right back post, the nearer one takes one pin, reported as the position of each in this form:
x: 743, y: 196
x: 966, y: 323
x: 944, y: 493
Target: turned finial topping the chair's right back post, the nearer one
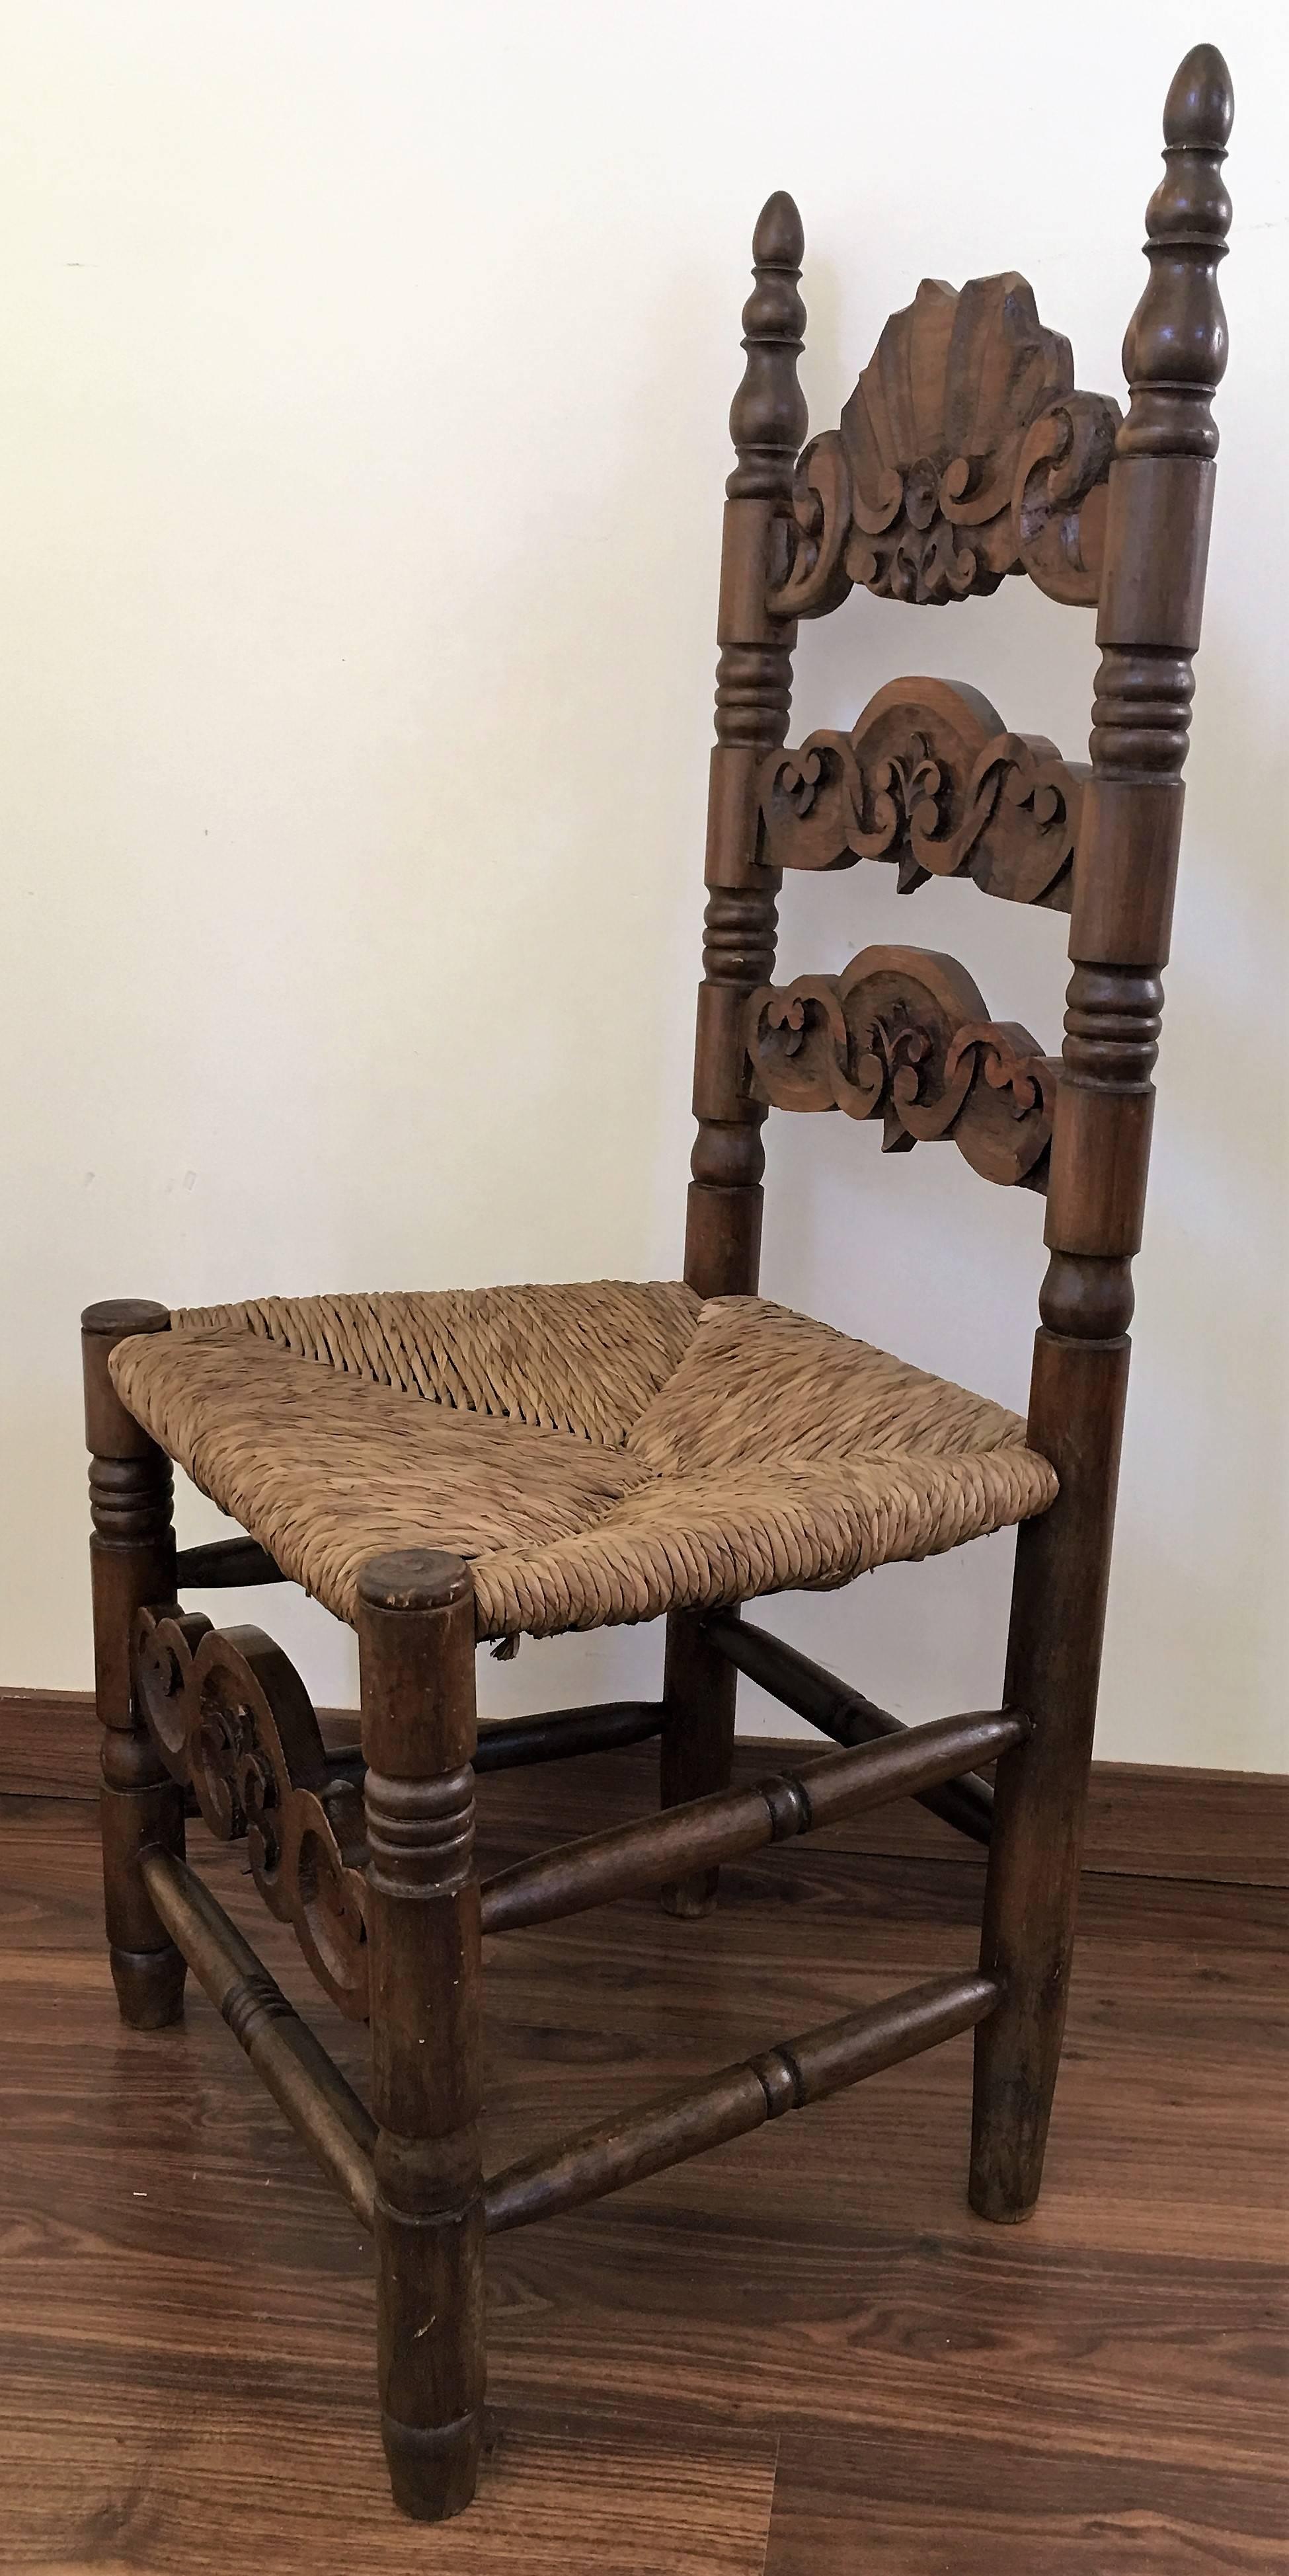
x: 1177, y: 341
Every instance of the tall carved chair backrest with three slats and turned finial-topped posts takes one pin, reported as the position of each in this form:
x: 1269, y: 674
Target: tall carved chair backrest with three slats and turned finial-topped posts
x: 965, y: 455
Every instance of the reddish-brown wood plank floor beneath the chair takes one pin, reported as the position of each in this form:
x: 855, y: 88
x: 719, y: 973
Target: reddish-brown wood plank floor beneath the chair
x: 793, y: 2358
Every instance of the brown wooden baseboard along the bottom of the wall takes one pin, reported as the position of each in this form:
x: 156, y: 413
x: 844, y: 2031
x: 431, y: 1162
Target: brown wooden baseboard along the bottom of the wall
x: 1146, y: 1820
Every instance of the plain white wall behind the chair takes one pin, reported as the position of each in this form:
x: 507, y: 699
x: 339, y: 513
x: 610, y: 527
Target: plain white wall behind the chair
x: 362, y: 406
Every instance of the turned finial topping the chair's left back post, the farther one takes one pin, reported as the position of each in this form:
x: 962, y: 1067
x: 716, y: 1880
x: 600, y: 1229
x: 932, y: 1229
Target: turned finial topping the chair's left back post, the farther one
x: 770, y: 413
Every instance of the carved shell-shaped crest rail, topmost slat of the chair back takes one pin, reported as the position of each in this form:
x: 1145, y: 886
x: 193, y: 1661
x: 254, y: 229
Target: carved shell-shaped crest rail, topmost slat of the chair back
x: 963, y: 455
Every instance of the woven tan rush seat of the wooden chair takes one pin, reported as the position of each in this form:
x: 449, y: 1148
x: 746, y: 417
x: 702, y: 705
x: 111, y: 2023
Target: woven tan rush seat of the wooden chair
x: 597, y: 1452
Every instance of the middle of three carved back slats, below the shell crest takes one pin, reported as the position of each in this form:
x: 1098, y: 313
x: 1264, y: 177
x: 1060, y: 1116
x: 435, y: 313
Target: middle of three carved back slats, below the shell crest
x: 929, y: 779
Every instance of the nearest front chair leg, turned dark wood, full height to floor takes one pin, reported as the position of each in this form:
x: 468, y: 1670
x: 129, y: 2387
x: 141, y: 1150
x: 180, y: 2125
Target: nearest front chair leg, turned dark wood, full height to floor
x: 416, y: 1647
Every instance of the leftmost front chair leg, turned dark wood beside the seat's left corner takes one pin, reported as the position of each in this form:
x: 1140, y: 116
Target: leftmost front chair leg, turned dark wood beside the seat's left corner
x: 133, y: 1562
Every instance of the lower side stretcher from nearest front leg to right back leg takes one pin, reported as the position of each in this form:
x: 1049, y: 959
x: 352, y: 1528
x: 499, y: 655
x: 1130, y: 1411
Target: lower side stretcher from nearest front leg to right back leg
x: 736, y: 2101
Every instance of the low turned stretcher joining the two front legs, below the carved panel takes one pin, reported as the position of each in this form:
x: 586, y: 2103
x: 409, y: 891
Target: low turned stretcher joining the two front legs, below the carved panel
x: 282, y: 2049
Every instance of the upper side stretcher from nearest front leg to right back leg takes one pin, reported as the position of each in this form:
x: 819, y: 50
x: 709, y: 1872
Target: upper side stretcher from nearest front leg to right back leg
x: 741, y: 1820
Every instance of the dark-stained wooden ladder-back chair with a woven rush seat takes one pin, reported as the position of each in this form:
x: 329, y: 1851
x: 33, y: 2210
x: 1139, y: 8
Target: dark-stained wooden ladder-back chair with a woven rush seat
x: 445, y: 1470
